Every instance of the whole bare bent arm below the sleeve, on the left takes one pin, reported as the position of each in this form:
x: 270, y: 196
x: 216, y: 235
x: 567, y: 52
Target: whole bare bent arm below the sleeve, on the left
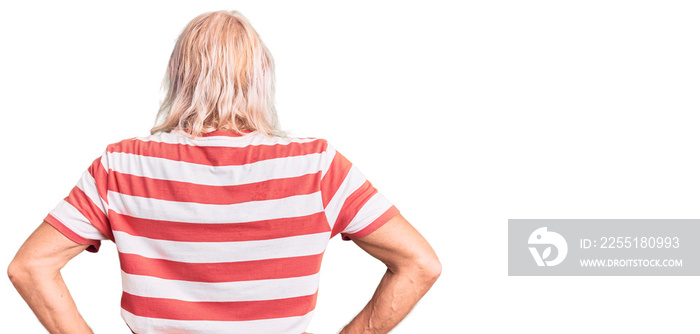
x: 35, y: 273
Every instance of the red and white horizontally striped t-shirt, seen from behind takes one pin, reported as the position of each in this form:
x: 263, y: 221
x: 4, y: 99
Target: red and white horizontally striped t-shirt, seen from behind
x: 223, y: 233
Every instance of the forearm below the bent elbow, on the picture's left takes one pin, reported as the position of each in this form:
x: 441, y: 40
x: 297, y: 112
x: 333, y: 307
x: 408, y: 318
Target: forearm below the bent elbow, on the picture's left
x: 49, y: 298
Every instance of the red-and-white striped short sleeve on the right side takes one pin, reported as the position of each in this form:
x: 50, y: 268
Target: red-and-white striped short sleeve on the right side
x: 353, y: 207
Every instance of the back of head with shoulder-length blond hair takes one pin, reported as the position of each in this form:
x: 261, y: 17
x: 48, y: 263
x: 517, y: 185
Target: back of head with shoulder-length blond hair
x: 220, y: 77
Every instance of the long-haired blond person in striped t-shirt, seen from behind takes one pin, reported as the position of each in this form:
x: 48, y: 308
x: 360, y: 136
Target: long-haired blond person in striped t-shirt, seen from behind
x: 220, y: 220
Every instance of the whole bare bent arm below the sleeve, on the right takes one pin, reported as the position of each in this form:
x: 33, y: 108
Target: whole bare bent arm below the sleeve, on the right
x: 412, y: 268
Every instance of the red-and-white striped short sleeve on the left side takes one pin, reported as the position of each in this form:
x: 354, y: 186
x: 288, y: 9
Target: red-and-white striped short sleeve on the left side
x: 82, y: 215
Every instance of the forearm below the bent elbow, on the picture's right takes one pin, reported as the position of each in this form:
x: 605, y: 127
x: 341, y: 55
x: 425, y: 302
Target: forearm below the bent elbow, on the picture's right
x: 394, y: 298
